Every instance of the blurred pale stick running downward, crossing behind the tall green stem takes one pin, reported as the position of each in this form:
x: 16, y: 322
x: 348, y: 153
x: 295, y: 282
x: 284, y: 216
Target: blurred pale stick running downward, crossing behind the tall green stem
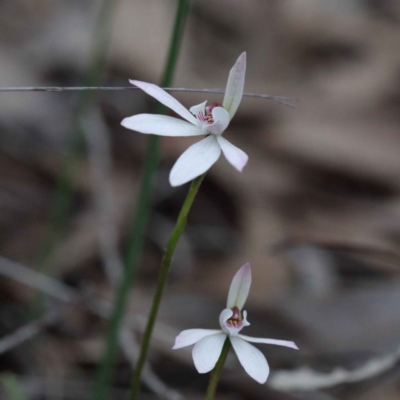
x: 99, y: 155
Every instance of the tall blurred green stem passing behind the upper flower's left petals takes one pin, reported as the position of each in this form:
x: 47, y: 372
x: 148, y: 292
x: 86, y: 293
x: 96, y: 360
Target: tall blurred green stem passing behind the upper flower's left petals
x: 139, y: 221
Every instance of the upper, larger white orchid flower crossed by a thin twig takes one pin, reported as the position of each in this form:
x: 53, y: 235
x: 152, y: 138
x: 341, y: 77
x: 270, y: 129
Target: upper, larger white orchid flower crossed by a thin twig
x: 206, y: 120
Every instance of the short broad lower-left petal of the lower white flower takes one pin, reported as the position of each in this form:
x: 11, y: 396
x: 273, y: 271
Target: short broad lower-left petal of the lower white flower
x: 207, y: 351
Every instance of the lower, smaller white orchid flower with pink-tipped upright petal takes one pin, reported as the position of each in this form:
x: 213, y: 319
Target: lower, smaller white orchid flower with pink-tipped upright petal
x: 208, y: 342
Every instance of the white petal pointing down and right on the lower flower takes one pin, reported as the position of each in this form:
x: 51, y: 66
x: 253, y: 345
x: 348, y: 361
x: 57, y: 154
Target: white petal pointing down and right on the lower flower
x: 252, y: 360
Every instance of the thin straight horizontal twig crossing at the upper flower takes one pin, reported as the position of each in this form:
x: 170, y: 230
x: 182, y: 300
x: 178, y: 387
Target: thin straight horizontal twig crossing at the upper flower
x: 288, y: 101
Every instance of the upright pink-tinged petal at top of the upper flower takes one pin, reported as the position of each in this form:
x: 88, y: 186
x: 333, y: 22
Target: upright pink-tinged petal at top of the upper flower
x: 234, y: 87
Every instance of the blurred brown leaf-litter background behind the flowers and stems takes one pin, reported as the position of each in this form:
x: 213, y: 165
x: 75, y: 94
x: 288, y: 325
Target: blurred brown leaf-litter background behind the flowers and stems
x: 316, y: 211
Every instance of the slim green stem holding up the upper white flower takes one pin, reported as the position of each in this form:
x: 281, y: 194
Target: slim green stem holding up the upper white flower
x: 165, y: 267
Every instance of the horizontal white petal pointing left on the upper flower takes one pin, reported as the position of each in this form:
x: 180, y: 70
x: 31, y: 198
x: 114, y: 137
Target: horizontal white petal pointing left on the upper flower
x: 160, y: 125
